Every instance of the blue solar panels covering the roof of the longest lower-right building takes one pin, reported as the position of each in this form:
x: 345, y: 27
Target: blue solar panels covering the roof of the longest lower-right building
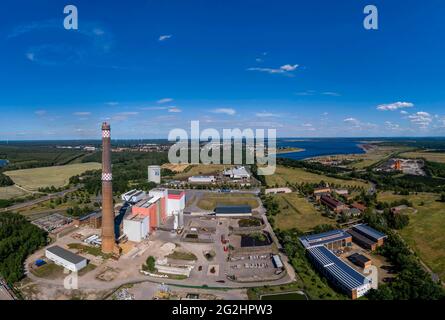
x: 339, y: 270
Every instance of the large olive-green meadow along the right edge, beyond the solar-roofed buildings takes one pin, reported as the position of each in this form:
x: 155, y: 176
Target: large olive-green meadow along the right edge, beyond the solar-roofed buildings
x: 426, y: 230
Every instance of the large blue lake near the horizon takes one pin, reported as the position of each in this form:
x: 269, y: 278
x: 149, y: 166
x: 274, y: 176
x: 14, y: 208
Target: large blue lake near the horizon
x: 319, y: 147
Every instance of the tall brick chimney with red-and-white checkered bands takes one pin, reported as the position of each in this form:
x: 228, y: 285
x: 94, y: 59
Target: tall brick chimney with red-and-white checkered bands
x: 108, y: 238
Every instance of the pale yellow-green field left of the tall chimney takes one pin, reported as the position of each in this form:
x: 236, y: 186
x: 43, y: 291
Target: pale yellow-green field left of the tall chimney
x: 58, y: 176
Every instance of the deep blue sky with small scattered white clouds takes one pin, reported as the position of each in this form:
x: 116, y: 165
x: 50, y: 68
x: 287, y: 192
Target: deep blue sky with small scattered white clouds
x: 306, y: 68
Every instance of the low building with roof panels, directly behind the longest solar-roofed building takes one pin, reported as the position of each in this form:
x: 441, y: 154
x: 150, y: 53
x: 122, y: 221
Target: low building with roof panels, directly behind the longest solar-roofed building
x: 332, y: 239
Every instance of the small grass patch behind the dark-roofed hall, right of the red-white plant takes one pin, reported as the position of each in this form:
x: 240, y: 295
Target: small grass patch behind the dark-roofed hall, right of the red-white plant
x: 210, y: 200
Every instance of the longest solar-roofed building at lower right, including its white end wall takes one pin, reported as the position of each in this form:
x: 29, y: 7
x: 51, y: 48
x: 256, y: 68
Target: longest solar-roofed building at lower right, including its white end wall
x: 338, y: 272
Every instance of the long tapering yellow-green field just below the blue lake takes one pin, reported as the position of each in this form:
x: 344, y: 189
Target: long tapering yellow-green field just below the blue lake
x: 296, y: 175
